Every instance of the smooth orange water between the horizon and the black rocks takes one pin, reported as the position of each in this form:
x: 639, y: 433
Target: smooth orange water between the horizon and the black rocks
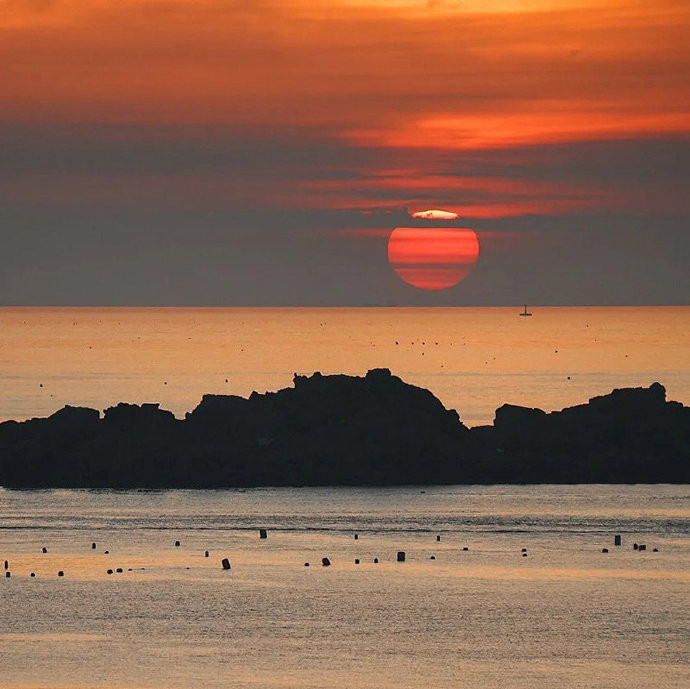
x: 473, y: 360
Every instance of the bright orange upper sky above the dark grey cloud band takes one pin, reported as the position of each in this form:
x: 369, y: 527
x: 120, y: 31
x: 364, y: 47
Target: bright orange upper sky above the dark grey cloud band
x: 571, y: 68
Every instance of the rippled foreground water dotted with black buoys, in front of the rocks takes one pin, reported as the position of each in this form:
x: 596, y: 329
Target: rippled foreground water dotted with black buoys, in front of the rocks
x: 565, y: 616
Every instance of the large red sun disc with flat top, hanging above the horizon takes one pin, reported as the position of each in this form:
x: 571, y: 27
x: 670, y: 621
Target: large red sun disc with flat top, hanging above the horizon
x: 433, y: 257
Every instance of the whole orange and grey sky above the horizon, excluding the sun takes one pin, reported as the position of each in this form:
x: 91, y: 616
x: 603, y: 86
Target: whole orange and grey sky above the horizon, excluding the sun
x: 261, y: 152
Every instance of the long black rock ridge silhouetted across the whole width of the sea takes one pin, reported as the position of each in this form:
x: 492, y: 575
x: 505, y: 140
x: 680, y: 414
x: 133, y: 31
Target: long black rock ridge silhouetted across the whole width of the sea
x: 344, y: 430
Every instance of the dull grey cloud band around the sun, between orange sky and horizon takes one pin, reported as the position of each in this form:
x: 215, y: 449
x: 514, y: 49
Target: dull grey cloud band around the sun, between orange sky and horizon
x: 79, y: 225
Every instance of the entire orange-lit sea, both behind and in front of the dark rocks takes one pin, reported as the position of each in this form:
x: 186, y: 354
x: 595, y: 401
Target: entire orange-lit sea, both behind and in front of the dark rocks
x: 506, y: 587
